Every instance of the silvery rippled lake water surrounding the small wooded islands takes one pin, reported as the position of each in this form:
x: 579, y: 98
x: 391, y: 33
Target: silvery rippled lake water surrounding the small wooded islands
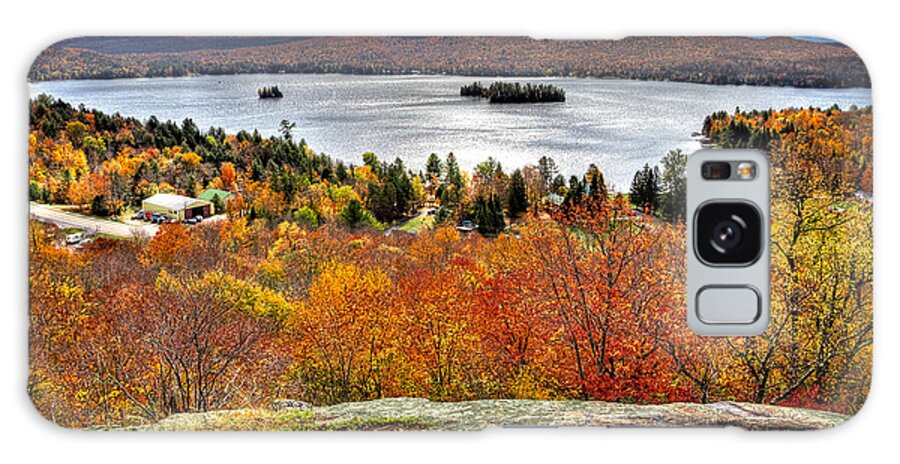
x: 617, y: 124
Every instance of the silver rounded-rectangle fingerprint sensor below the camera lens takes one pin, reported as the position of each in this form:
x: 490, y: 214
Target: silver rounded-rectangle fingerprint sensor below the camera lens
x: 726, y: 304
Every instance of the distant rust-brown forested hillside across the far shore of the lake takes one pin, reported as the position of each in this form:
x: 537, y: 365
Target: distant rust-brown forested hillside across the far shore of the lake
x: 708, y: 60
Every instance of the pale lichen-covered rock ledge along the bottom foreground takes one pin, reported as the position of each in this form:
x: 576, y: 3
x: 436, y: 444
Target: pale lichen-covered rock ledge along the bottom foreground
x: 417, y: 414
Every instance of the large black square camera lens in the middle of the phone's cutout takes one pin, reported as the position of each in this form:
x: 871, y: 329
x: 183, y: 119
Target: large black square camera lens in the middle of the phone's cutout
x: 728, y: 233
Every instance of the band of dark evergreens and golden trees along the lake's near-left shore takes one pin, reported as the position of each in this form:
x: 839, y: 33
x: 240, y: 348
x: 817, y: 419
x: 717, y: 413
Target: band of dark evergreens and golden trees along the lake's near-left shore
x: 109, y: 163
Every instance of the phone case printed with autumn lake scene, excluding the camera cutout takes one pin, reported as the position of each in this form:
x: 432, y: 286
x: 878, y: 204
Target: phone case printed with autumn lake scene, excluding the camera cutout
x: 403, y: 233
